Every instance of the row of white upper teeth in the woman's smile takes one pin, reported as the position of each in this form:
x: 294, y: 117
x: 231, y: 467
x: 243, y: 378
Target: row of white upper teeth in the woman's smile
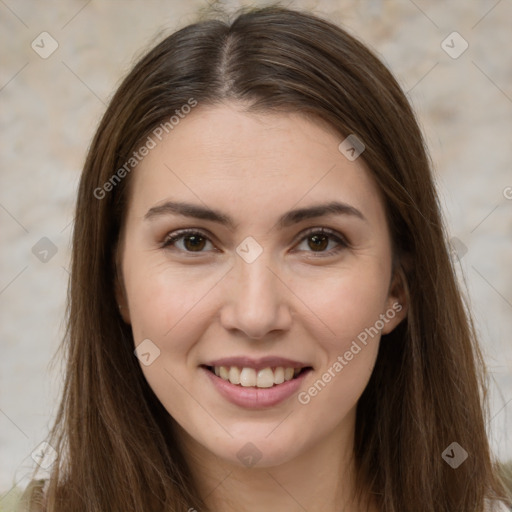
x: 247, y: 377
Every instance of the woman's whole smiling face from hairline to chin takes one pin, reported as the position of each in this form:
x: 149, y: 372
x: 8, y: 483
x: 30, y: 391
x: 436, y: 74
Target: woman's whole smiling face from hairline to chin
x: 281, y: 285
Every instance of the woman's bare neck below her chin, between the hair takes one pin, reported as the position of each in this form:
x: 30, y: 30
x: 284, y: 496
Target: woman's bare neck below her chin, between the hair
x: 320, y: 479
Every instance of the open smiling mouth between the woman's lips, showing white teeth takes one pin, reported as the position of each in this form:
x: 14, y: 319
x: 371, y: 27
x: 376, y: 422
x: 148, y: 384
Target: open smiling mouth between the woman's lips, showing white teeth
x: 260, y: 378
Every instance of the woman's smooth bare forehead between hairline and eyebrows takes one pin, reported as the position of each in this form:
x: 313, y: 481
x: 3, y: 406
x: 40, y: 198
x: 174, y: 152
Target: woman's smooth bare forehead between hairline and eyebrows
x: 251, y: 164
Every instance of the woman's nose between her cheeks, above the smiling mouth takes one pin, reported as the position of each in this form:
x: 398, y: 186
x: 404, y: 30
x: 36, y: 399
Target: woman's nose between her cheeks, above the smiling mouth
x: 255, y: 300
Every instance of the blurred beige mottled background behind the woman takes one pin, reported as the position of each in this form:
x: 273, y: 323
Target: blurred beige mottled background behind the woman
x: 50, y: 106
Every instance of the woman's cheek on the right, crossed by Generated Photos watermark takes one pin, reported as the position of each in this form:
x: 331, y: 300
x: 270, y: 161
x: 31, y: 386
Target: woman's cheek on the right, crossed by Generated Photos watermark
x: 349, y: 304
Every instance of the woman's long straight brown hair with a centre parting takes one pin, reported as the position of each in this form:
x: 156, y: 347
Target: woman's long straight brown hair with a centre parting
x: 113, y: 436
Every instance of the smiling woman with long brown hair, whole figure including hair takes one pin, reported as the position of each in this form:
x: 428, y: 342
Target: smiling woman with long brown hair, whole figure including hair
x: 263, y: 313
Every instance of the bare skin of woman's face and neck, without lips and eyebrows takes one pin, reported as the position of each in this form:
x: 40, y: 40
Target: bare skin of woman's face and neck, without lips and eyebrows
x: 290, y: 302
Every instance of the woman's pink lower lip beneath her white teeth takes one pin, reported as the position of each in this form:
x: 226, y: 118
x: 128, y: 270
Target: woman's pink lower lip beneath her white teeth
x: 252, y: 397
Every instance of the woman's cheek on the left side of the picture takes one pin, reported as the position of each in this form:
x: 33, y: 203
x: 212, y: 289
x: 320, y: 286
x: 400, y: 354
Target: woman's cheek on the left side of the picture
x: 170, y: 308
